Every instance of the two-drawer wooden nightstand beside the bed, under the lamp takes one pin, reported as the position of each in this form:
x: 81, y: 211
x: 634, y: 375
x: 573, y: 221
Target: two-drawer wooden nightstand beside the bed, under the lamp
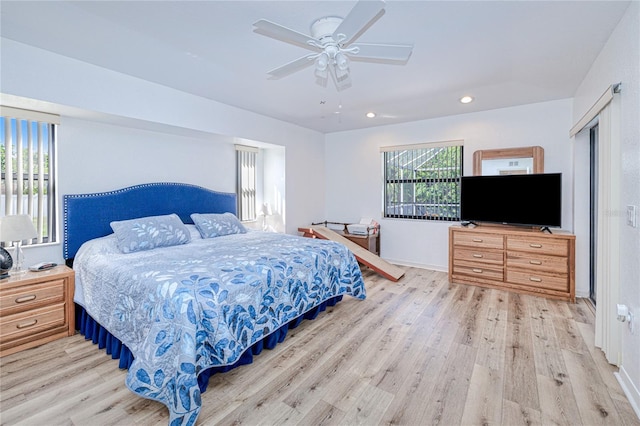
x: 36, y: 308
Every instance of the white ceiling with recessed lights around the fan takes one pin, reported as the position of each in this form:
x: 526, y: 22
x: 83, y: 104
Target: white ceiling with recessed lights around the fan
x: 503, y: 53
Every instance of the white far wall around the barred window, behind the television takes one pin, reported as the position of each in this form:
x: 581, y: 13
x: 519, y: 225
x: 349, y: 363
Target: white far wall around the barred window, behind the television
x: 354, y: 179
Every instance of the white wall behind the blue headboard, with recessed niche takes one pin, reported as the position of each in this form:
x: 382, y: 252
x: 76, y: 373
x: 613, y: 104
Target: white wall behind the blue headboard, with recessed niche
x: 174, y: 123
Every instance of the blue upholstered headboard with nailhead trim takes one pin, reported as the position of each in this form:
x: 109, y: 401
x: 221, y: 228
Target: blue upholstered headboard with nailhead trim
x: 87, y: 216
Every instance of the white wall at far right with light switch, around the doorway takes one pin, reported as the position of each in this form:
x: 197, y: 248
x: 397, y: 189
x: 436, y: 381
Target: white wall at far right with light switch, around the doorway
x: 619, y: 61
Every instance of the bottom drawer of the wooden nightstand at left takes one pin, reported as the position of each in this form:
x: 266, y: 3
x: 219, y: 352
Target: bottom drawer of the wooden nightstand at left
x: 32, y: 322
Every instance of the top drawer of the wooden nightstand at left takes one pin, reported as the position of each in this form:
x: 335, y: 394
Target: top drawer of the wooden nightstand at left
x: 21, y: 299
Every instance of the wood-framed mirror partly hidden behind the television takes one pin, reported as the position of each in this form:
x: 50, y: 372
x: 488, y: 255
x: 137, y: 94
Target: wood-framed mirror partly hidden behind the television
x: 510, y: 161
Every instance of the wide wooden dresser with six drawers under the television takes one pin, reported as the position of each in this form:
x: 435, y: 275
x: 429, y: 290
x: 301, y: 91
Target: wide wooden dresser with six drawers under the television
x: 511, y: 258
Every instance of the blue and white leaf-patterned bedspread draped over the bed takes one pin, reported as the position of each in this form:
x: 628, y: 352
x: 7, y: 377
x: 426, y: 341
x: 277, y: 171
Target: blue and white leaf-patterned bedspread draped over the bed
x: 186, y: 308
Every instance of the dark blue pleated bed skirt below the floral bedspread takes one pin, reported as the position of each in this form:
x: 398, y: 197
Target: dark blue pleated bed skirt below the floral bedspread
x: 93, y: 331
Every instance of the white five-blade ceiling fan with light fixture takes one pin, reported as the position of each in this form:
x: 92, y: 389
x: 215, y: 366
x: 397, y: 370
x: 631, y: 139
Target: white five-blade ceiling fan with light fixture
x: 333, y: 41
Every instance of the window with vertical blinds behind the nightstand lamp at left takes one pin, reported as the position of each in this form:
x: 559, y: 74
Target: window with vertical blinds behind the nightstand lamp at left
x: 27, y: 144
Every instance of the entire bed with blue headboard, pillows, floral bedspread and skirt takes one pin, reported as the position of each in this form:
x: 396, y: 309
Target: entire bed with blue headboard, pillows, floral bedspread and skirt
x: 172, y: 284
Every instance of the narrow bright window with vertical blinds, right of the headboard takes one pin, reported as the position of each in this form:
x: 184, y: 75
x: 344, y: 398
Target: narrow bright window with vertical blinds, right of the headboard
x: 247, y: 158
